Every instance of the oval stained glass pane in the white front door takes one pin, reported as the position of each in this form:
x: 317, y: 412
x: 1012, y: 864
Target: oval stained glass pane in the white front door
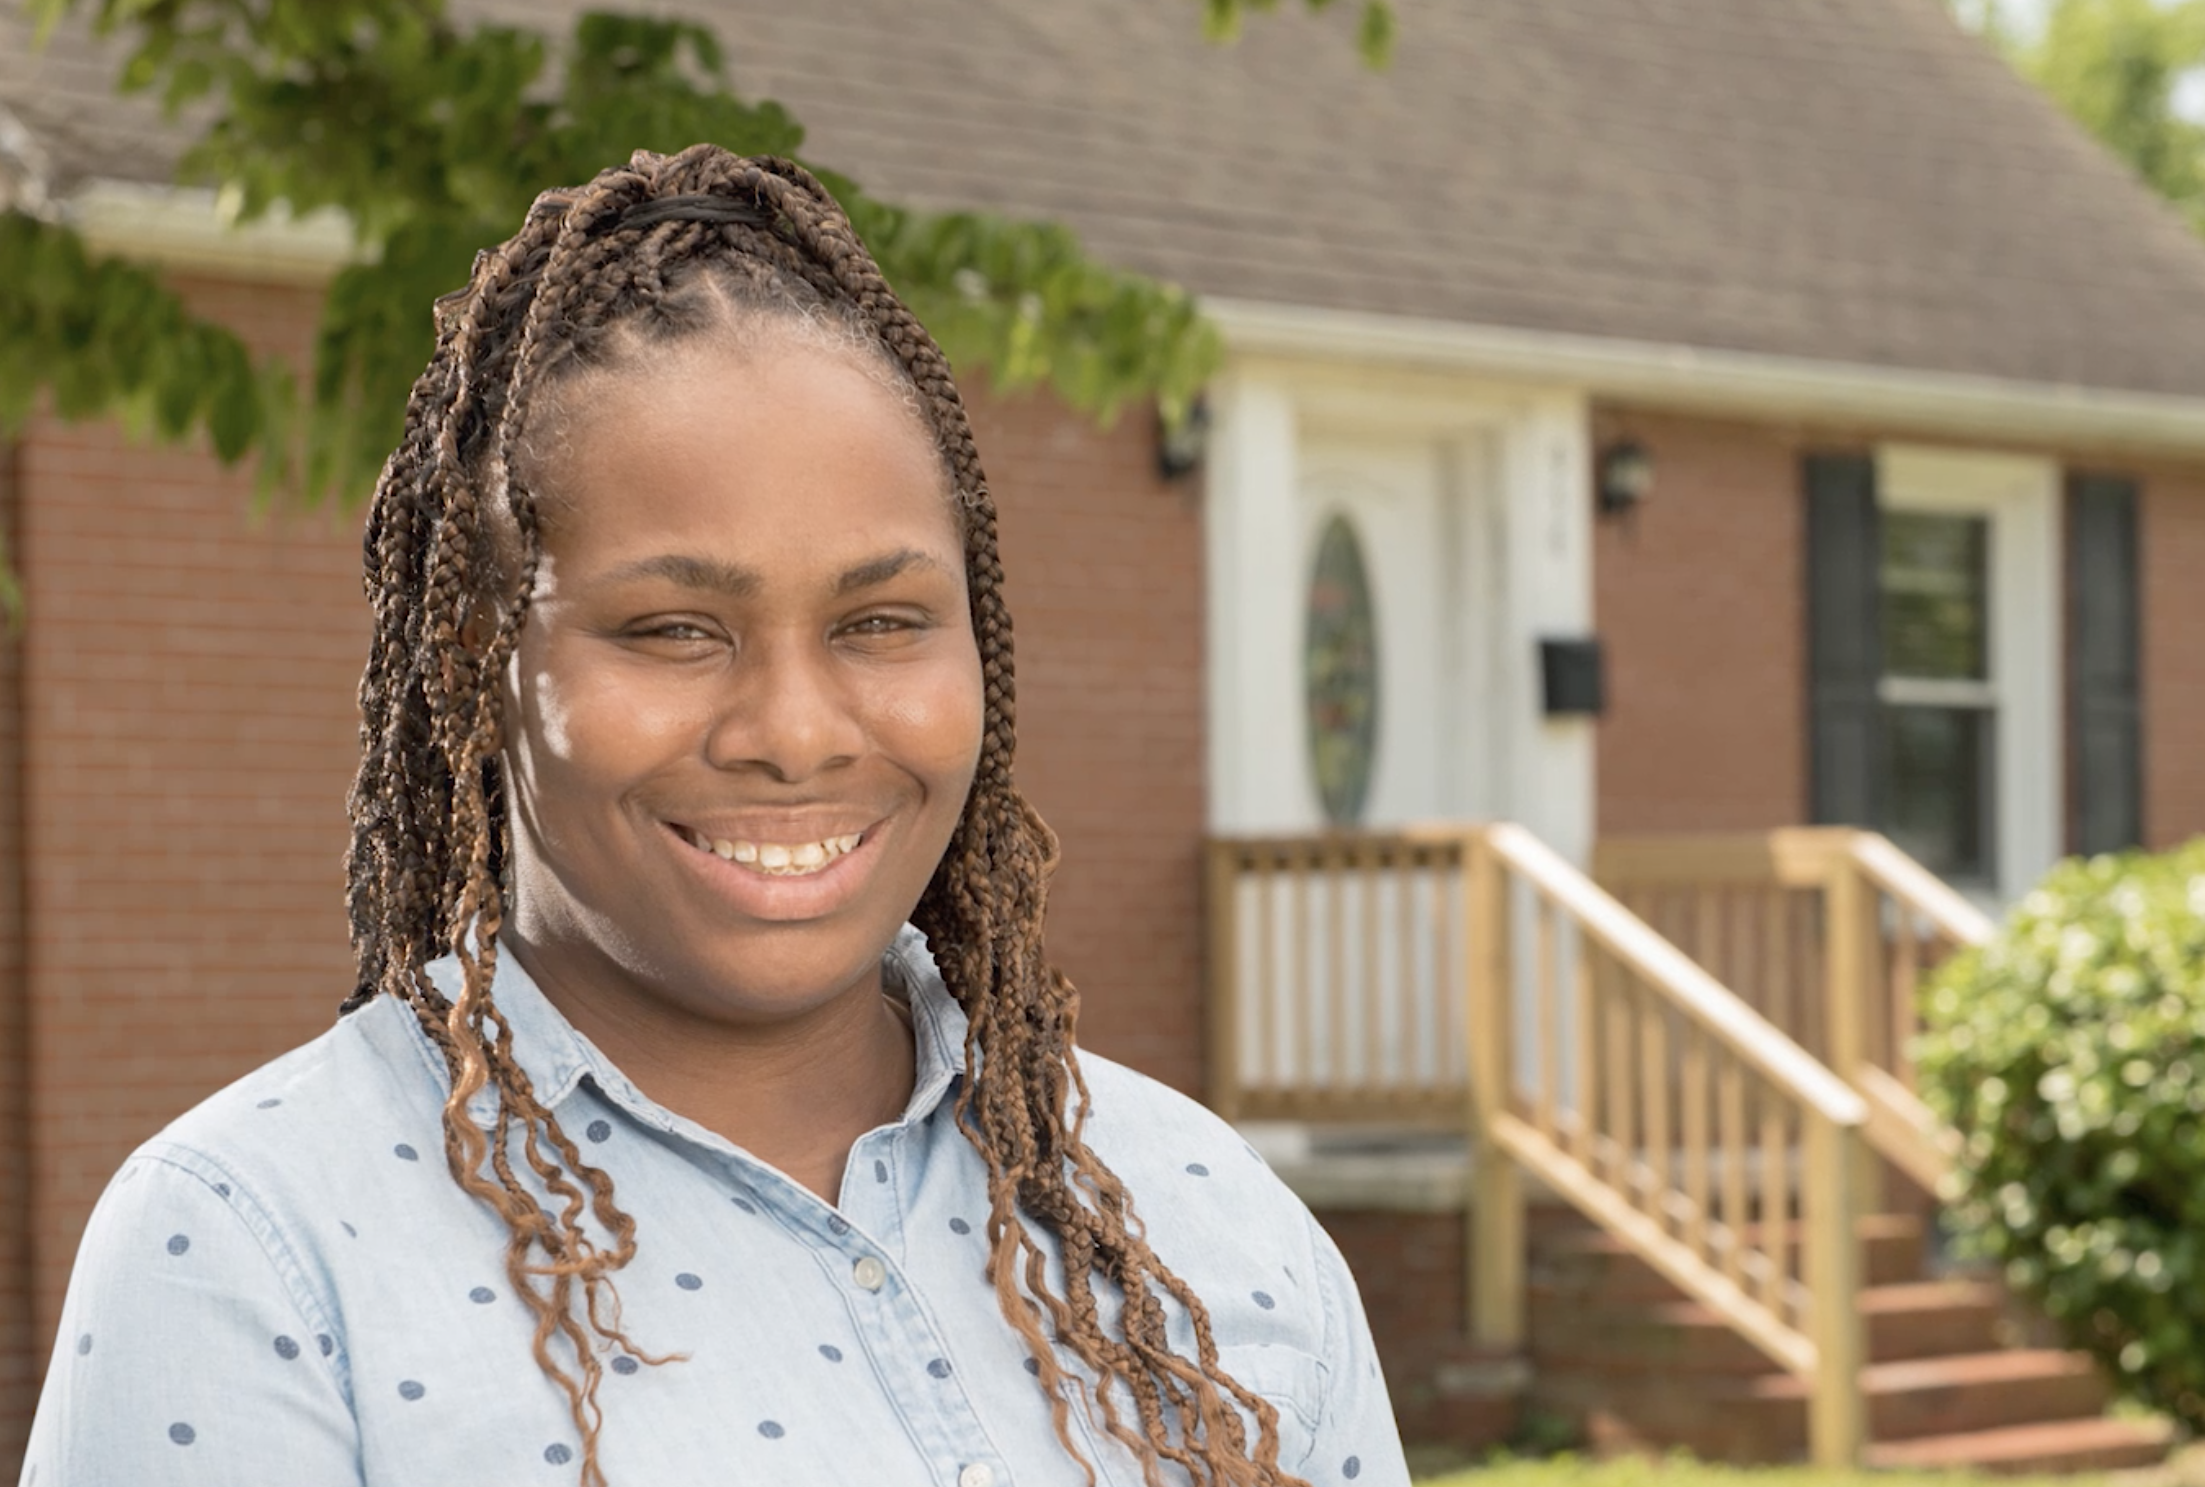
x: 1340, y: 665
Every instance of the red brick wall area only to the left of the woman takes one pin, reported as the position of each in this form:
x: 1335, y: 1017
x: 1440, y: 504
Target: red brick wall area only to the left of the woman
x: 191, y: 731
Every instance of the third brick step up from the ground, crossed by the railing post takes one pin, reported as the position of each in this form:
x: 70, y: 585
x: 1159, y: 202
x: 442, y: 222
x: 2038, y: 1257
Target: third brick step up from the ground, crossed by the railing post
x: 1904, y: 1323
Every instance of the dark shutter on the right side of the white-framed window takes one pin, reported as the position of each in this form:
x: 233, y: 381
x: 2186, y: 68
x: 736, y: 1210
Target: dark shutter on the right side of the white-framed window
x: 2105, y: 674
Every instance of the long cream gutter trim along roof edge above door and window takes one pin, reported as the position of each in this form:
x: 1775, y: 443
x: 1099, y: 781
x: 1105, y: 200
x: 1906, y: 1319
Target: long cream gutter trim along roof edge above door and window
x: 1741, y: 383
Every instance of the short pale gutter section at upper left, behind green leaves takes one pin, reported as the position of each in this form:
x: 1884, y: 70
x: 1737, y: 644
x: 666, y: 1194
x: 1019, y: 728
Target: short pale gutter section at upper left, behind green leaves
x: 186, y: 228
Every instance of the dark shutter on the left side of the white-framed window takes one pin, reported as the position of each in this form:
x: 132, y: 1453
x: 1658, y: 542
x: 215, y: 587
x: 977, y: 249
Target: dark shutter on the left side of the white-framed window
x: 1844, y: 557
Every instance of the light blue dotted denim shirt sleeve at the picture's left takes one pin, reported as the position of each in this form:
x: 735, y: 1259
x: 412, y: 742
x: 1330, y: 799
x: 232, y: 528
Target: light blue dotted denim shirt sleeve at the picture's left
x: 184, y: 1358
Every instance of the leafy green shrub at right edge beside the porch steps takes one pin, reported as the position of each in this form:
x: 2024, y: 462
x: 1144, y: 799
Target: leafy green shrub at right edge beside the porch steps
x: 2072, y: 1058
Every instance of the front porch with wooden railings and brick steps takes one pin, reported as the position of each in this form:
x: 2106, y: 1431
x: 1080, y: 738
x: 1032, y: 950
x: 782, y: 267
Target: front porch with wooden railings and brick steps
x: 1699, y: 1058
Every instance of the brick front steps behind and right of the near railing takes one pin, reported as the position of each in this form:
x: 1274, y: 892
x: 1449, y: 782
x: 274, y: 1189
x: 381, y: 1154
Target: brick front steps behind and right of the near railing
x: 1950, y: 1380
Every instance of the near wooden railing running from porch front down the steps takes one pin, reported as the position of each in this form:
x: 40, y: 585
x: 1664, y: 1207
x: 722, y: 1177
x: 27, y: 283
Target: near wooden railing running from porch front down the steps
x: 1586, y: 1051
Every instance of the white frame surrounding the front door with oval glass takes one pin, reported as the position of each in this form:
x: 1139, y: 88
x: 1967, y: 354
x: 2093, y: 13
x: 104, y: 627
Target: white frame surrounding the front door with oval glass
x: 1265, y: 414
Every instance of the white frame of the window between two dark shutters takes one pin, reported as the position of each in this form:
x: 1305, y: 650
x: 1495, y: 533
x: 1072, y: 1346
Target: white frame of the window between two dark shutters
x: 2023, y: 502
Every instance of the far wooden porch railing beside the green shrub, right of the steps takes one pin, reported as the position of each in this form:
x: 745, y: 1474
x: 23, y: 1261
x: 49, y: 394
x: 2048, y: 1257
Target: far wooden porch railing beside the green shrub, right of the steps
x: 1827, y: 932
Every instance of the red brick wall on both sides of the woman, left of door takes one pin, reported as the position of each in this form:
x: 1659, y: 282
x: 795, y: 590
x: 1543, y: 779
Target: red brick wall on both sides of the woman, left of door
x: 191, y: 736
